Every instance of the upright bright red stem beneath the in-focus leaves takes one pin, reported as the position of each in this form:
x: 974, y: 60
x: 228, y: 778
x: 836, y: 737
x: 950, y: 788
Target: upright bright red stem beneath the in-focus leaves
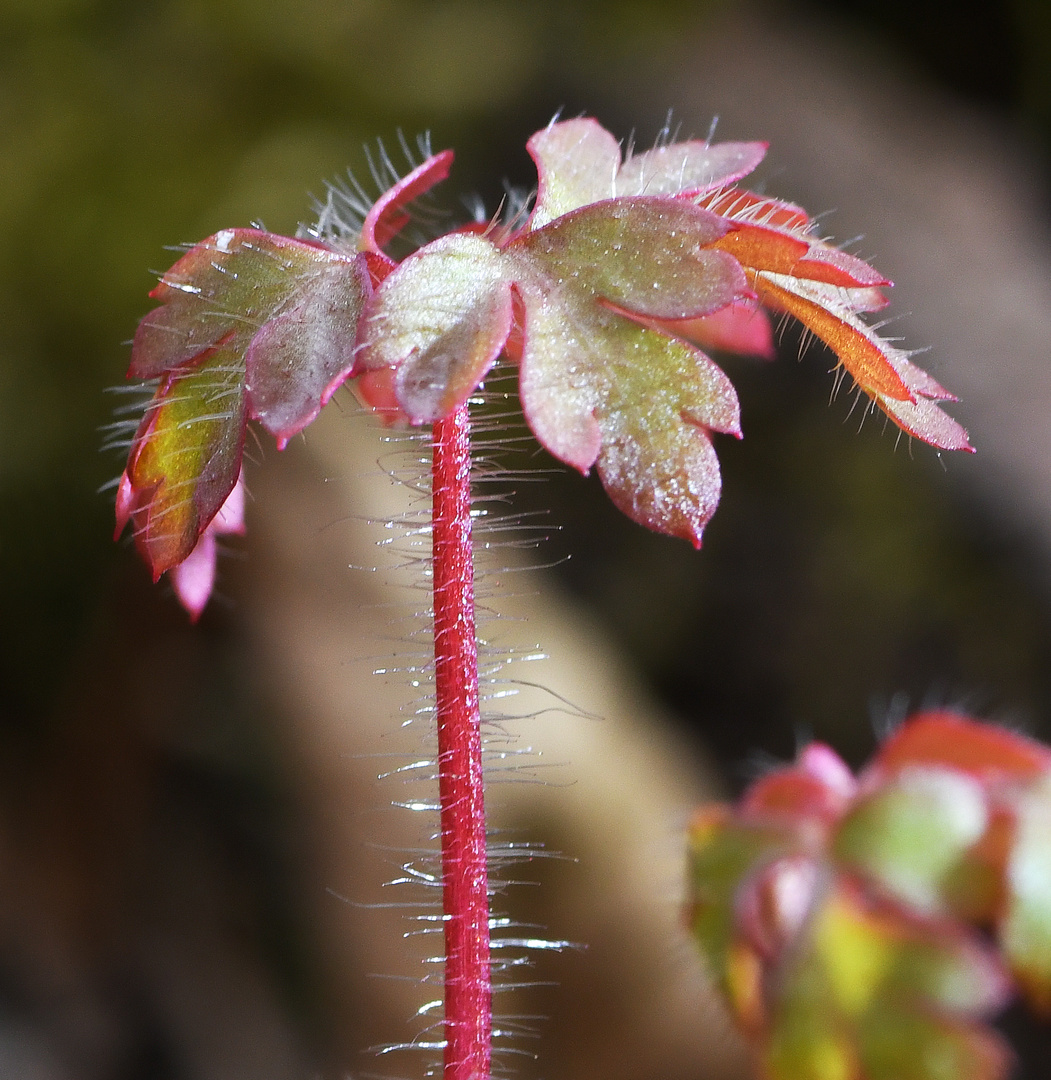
x: 465, y: 876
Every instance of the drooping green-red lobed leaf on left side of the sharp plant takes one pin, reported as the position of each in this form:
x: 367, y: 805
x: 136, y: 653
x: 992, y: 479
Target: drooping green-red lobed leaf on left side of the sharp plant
x: 252, y: 326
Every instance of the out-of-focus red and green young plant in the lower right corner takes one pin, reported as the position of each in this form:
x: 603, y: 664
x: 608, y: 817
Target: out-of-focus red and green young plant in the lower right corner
x: 865, y: 928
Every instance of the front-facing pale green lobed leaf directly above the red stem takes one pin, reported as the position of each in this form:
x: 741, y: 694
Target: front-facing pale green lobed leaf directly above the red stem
x: 598, y: 387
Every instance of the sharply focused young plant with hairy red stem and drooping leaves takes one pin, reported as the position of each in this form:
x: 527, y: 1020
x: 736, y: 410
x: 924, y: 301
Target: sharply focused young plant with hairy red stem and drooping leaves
x: 604, y: 295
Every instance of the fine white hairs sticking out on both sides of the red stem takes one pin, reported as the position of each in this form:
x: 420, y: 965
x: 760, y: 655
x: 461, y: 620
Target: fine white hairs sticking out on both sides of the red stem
x: 498, y: 437
